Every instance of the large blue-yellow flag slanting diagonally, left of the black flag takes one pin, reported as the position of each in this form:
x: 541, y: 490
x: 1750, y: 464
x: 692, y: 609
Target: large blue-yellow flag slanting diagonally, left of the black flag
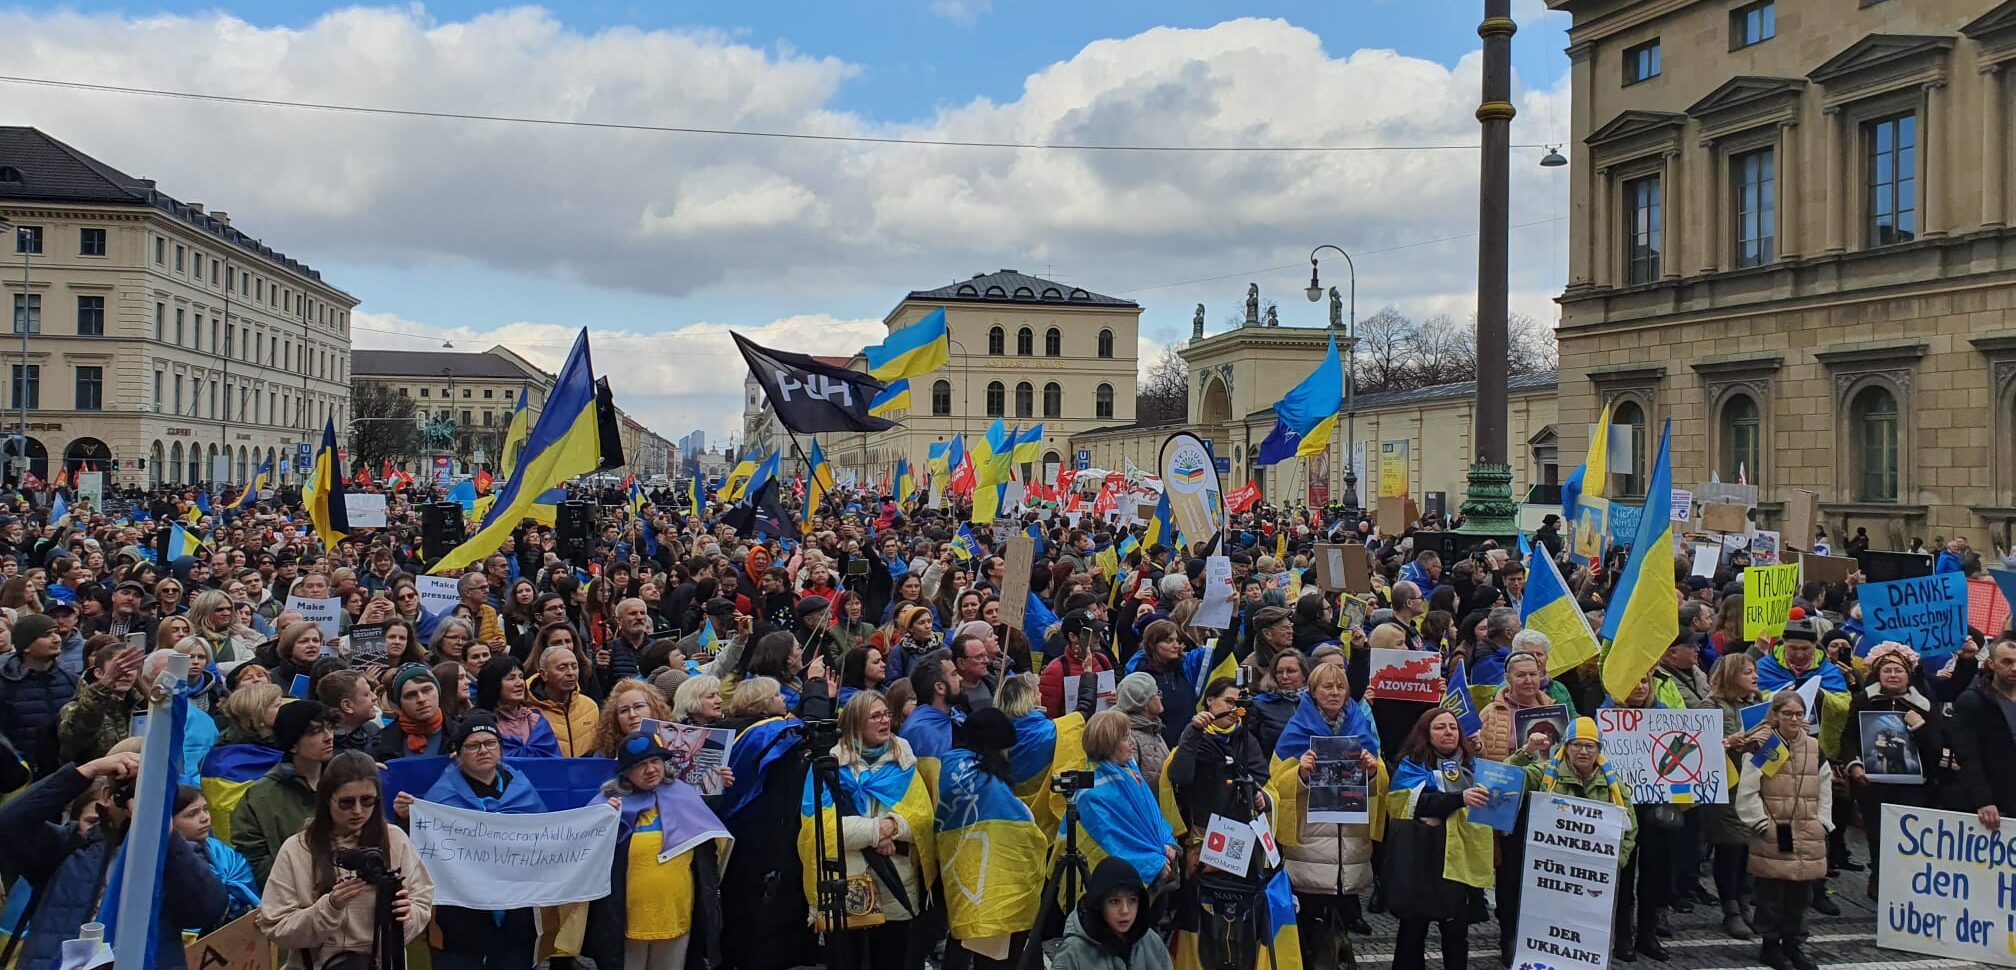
x: 563, y: 445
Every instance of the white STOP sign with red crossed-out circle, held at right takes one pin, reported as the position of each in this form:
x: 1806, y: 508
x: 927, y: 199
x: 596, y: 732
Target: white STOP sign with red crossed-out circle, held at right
x: 1668, y: 757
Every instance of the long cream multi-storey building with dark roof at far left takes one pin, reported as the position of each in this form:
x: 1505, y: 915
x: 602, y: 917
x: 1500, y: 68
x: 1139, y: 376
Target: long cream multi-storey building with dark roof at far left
x: 162, y: 344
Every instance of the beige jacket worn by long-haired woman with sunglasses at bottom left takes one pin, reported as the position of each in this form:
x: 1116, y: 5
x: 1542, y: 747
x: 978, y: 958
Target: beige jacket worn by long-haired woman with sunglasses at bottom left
x: 309, y: 929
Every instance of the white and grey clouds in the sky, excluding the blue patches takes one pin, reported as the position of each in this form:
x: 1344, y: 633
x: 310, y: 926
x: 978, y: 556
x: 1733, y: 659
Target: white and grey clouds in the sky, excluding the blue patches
x: 686, y: 215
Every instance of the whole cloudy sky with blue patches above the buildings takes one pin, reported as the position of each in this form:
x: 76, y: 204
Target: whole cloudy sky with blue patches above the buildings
x: 662, y: 243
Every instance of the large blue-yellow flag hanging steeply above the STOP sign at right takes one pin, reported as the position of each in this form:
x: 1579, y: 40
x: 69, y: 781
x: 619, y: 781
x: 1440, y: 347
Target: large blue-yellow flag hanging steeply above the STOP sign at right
x: 1642, y: 620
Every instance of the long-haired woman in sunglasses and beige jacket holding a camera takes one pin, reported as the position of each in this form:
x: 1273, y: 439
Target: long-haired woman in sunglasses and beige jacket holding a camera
x: 318, y: 913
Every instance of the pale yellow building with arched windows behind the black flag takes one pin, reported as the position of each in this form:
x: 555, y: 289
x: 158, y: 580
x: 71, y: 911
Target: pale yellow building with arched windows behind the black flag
x: 1025, y: 350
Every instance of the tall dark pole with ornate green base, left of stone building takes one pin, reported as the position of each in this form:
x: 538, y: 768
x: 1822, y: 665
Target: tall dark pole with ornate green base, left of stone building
x: 1489, y: 509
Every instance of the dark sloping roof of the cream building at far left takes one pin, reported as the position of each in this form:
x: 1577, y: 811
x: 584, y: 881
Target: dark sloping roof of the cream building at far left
x: 55, y: 172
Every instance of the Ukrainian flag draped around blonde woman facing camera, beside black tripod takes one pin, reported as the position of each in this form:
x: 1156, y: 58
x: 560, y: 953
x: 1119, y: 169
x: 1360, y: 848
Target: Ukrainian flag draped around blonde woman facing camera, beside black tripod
x: 892, y: 787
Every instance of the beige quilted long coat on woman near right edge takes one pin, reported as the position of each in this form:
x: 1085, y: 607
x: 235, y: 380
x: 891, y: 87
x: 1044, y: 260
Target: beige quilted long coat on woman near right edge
x: 1801, y: 796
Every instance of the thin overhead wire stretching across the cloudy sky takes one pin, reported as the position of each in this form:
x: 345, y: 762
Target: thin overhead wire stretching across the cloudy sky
x: 684, y: 130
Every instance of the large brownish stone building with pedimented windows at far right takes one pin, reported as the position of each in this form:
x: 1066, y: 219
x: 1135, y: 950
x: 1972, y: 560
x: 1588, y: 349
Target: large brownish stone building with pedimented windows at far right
x: 1791, y: 235
